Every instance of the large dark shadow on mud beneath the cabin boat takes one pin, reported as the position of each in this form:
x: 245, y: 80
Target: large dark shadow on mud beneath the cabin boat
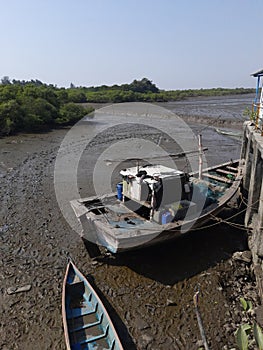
x: 184, y: 257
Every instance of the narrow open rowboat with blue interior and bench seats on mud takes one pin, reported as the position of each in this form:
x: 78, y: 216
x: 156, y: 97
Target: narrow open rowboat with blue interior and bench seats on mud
x: 86, y: 322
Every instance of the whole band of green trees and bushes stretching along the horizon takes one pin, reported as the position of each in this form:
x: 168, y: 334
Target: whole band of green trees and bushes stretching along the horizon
x: 35, y: 106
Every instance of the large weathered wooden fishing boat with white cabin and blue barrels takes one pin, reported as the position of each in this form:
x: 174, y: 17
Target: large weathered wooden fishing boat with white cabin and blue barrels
x: 155, y: 204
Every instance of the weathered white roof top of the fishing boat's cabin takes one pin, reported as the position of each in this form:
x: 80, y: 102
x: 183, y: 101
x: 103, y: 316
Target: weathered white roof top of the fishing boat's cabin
x: 152, y: 170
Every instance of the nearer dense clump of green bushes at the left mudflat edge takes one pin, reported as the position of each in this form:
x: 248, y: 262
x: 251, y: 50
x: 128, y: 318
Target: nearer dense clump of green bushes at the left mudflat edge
x: 34, y: 106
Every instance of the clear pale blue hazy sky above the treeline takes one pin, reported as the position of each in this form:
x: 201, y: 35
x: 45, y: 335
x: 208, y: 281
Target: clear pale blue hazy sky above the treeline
x: 178, y: 44
